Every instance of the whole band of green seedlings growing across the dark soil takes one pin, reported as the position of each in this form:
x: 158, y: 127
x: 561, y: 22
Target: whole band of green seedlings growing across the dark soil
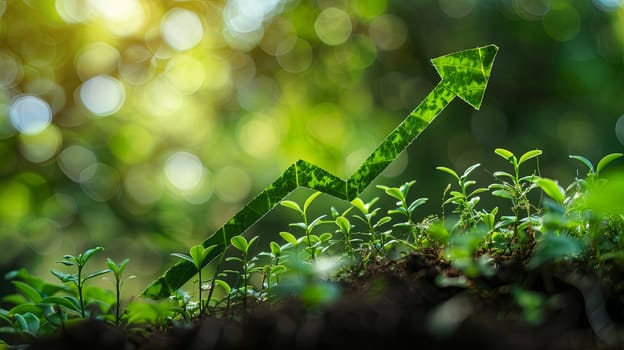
x: 582, y: 221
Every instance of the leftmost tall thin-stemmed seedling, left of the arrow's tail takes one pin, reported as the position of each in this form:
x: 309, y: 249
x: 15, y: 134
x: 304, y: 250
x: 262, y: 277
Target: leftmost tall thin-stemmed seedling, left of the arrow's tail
x: 78, y: 279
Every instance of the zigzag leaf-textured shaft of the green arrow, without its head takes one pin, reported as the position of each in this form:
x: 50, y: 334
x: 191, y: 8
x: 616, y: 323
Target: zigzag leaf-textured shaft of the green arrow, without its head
x: 304, y: 174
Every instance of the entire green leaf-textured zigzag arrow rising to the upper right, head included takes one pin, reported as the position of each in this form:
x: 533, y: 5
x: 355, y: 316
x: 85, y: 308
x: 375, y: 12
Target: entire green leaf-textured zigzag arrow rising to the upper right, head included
x: 464, y: 74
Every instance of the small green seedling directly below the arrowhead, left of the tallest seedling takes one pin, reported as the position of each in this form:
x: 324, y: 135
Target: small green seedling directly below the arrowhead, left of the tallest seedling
x: 465, y: 201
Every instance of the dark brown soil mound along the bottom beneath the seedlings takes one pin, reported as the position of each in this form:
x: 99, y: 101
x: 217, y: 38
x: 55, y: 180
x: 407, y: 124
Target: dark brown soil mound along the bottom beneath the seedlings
x: 399, y: 303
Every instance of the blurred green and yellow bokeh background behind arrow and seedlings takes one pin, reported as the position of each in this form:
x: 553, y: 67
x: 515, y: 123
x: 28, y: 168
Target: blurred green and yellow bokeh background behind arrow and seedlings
x: 142, y: 126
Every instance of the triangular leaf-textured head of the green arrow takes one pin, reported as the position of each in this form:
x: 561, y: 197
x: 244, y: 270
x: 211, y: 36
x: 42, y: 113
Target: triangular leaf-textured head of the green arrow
x: 466, y: 73
